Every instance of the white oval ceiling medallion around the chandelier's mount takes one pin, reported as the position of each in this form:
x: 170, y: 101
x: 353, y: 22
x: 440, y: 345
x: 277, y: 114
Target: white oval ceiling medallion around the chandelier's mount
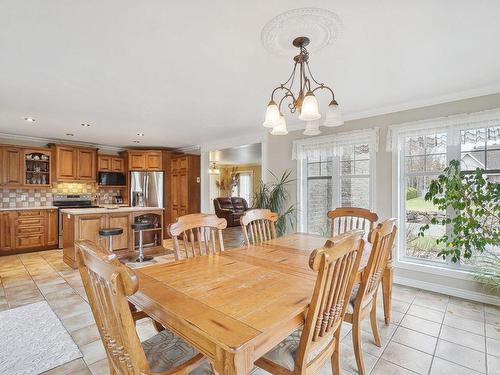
x: 321, y: 26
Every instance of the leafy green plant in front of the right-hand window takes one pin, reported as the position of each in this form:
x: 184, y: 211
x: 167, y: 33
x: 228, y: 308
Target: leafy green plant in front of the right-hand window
x: 472, y: 203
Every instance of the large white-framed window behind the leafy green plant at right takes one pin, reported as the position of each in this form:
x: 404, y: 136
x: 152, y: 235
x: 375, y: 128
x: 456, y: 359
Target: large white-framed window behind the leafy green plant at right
x: 421, y: 152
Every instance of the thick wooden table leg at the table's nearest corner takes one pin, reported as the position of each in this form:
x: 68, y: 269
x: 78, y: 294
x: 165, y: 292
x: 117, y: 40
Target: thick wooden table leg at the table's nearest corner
x: 233, y: 363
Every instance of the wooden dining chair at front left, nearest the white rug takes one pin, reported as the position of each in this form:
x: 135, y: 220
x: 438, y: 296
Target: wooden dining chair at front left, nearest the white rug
x: 107, y: 283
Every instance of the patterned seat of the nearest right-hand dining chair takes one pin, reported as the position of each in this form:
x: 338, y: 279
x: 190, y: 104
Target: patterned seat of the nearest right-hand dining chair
x: 284, y: 354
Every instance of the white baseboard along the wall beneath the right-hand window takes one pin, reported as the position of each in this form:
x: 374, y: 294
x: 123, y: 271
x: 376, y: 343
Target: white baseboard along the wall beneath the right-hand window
x: 455, y: 292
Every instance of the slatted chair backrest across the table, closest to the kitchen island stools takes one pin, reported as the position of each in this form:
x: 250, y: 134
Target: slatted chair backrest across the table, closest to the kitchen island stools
x: 200, y: 234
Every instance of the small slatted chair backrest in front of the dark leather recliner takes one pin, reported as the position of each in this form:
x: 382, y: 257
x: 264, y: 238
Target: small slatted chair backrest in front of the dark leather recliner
x: 258, y: 225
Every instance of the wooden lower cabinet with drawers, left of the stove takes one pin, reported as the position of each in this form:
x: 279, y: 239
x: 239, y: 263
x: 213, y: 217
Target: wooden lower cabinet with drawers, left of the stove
x: 27, y: 230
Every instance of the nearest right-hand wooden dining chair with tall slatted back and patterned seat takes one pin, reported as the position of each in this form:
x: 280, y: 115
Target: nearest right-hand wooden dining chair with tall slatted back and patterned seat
x: 307, y: 349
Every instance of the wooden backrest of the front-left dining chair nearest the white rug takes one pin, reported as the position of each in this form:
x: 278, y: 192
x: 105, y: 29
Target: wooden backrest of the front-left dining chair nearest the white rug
x: 108, y: 283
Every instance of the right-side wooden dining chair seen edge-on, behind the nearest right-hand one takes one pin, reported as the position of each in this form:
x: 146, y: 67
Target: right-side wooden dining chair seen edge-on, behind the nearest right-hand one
x: 363, y: 299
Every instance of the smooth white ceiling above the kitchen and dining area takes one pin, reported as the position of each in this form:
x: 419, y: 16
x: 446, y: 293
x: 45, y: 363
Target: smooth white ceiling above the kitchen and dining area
x: 189, y: 72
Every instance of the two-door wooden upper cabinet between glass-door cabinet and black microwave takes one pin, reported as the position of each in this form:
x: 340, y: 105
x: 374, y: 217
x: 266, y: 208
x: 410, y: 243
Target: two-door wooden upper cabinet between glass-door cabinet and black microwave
x: 74, y: 163
